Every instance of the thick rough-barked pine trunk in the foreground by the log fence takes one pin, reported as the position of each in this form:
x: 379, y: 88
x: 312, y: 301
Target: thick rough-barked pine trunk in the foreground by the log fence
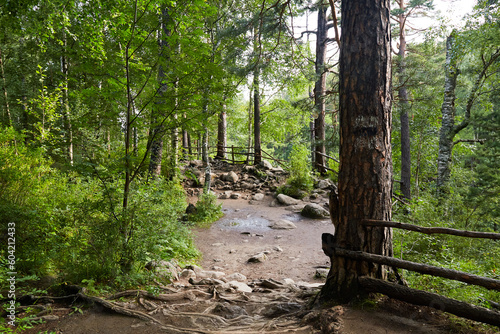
x: 365, y: 177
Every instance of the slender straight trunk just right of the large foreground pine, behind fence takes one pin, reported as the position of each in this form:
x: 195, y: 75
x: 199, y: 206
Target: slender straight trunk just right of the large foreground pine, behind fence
x: 404, y: 107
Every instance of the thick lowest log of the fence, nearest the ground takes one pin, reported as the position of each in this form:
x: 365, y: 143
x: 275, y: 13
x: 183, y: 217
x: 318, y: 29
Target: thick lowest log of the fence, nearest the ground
x: 436, y: 301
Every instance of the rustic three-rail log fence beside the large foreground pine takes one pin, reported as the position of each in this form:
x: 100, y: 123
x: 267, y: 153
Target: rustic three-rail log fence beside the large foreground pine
x: 419, y: 297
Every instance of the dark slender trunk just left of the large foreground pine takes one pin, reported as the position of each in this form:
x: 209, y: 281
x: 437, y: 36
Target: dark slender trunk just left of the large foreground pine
x: 319, y: 90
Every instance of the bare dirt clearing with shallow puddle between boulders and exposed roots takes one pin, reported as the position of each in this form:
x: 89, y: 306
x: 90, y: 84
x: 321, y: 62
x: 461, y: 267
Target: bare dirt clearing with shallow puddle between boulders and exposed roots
x: 244, y: 231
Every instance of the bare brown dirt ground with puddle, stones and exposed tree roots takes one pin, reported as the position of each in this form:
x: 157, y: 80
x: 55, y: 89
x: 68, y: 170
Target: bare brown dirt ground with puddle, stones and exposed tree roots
x: 293, y: 254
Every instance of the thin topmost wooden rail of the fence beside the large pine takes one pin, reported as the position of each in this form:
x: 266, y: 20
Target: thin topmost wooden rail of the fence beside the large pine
x: 431, y: 230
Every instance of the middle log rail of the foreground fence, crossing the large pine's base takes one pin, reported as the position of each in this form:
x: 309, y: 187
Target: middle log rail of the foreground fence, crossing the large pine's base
x: 456, y: 275
